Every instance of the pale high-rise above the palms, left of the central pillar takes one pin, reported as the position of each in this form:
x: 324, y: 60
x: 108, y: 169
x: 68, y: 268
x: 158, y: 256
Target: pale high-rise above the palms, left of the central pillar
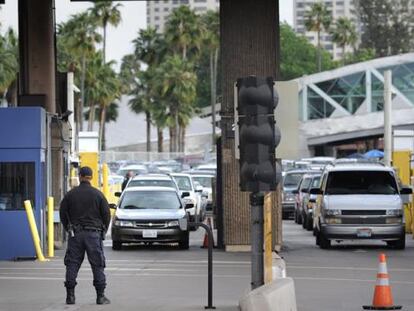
x: 158, y: 11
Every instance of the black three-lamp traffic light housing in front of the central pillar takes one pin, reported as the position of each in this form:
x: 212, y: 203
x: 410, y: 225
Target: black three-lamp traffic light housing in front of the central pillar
x: 258, y: 134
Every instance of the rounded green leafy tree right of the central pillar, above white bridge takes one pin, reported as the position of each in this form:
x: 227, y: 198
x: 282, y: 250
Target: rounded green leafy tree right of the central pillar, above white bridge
x: 298, y: 55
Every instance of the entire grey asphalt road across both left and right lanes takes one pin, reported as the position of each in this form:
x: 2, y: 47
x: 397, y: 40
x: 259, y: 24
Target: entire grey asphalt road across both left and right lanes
x: 160, y: 278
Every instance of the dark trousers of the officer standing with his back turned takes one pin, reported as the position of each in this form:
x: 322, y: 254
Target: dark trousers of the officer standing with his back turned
x: 91, y: 243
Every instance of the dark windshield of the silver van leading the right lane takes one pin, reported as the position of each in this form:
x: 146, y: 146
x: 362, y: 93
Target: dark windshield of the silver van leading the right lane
x: 361, y: 182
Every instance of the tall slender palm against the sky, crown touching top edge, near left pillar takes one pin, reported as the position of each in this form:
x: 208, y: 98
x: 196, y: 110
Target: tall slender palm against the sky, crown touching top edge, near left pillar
x: 106, y: 13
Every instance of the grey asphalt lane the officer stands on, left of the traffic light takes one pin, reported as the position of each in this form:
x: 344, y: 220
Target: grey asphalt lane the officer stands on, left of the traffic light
x: 140, y: 278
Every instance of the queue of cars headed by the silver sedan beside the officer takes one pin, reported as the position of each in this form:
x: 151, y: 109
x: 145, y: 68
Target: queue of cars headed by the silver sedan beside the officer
x: 161, y: 208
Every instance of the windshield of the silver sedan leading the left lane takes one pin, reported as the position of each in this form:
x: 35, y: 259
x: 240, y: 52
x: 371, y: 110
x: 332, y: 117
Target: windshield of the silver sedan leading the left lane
x: 150, y: 200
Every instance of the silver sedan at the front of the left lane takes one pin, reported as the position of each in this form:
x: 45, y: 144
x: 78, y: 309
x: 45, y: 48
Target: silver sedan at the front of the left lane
x: 150, y: 215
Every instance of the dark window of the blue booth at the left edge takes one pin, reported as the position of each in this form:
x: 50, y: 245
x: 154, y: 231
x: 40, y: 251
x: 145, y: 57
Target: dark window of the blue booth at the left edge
x: 17, y: 184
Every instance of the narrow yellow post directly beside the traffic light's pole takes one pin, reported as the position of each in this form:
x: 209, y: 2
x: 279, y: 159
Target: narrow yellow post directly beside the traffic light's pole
x: 268, y: 238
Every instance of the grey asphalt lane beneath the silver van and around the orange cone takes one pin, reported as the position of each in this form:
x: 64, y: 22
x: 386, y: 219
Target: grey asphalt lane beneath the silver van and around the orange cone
x: 343, y: 278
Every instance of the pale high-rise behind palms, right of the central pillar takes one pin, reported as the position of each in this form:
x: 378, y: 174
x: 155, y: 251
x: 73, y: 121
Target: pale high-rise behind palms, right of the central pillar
x: 339, y: 8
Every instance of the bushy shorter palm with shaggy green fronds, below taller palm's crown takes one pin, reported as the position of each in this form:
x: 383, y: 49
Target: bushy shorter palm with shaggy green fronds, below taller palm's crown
x: 177, y: 85
